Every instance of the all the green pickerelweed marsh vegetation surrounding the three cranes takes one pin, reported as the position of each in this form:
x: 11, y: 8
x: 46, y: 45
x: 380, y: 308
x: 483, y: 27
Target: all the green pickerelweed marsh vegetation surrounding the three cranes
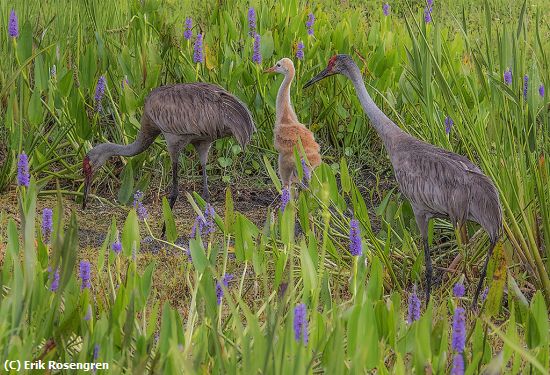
x: 419, y: 74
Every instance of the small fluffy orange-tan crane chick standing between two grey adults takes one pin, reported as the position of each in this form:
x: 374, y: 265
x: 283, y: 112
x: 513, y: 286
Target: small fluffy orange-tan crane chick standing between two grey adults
x: 288, y: 130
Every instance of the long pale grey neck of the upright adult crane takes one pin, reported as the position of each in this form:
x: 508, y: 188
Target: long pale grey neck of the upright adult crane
x: 386, y: 128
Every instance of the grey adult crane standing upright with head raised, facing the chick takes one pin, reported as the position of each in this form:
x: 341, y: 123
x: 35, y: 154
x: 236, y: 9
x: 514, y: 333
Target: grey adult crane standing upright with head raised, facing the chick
x: 437, y: 182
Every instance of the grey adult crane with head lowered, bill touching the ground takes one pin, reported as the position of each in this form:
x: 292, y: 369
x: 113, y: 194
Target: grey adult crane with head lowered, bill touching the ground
x: 196, y: 113
